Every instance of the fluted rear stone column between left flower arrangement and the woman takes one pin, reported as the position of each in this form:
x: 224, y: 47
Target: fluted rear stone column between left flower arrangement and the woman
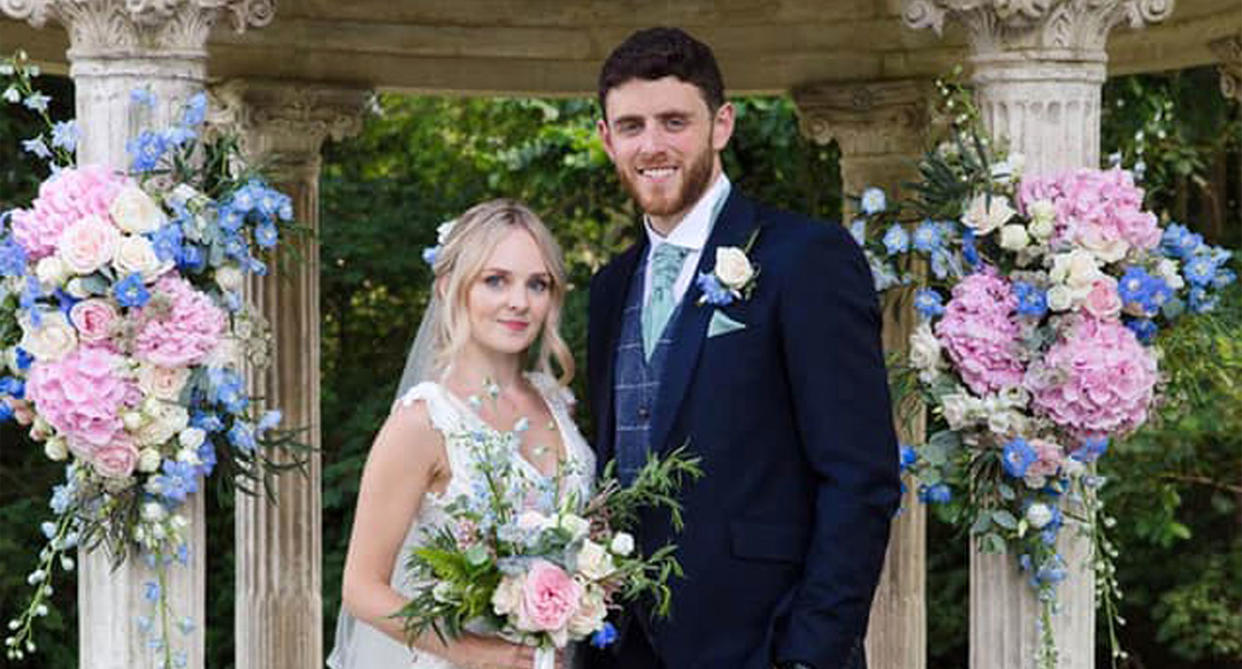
x: 280, y: 617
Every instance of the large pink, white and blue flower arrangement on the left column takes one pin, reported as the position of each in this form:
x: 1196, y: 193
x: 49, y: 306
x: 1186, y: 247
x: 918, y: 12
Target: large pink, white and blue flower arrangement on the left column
x: 124, y: 336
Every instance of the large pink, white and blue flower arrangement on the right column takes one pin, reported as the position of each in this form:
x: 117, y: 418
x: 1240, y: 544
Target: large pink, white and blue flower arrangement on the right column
x: 1038, y: 339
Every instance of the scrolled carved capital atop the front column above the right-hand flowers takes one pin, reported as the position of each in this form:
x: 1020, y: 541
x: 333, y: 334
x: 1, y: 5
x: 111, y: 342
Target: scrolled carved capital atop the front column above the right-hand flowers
x: 1072, y: 29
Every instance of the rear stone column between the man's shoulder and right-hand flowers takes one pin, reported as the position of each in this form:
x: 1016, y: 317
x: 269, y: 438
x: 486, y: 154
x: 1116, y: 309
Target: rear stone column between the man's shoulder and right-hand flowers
x: 881, y: 130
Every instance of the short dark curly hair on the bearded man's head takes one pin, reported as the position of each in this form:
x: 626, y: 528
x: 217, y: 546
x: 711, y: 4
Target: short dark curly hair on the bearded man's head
x: 660, y: 53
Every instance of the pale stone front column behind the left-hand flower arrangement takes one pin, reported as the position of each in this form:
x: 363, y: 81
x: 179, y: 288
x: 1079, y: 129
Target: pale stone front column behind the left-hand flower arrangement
x: 115, y: 48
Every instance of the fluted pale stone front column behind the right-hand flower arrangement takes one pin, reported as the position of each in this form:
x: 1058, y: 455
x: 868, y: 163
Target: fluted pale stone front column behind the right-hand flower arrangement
x: 1038, y: 70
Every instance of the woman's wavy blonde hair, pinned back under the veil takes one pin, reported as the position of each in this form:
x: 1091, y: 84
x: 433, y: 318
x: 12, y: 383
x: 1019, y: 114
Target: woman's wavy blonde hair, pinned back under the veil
x: 460, y: 263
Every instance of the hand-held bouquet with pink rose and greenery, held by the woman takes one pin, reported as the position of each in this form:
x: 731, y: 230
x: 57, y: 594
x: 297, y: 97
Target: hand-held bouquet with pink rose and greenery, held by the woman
x: 530, y: 563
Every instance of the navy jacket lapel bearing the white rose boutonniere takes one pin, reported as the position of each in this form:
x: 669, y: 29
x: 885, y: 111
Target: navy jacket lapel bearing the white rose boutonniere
x: 733, y: 228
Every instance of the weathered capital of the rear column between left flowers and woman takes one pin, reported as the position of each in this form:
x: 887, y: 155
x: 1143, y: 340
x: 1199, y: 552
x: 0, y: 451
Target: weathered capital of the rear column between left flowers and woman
x: 285, y: 123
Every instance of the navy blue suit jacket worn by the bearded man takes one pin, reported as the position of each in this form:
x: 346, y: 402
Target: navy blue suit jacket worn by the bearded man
x: 786, y: 536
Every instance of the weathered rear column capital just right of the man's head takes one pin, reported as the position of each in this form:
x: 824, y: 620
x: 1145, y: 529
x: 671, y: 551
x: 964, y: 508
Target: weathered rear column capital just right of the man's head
x: 866, y: 119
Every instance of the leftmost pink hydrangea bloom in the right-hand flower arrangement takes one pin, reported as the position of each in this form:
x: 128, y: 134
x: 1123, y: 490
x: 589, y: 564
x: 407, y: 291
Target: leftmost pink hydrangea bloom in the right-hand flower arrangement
x: 981, y: 334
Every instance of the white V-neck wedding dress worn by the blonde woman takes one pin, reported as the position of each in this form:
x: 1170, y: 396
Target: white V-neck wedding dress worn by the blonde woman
x: 361, y: 646
